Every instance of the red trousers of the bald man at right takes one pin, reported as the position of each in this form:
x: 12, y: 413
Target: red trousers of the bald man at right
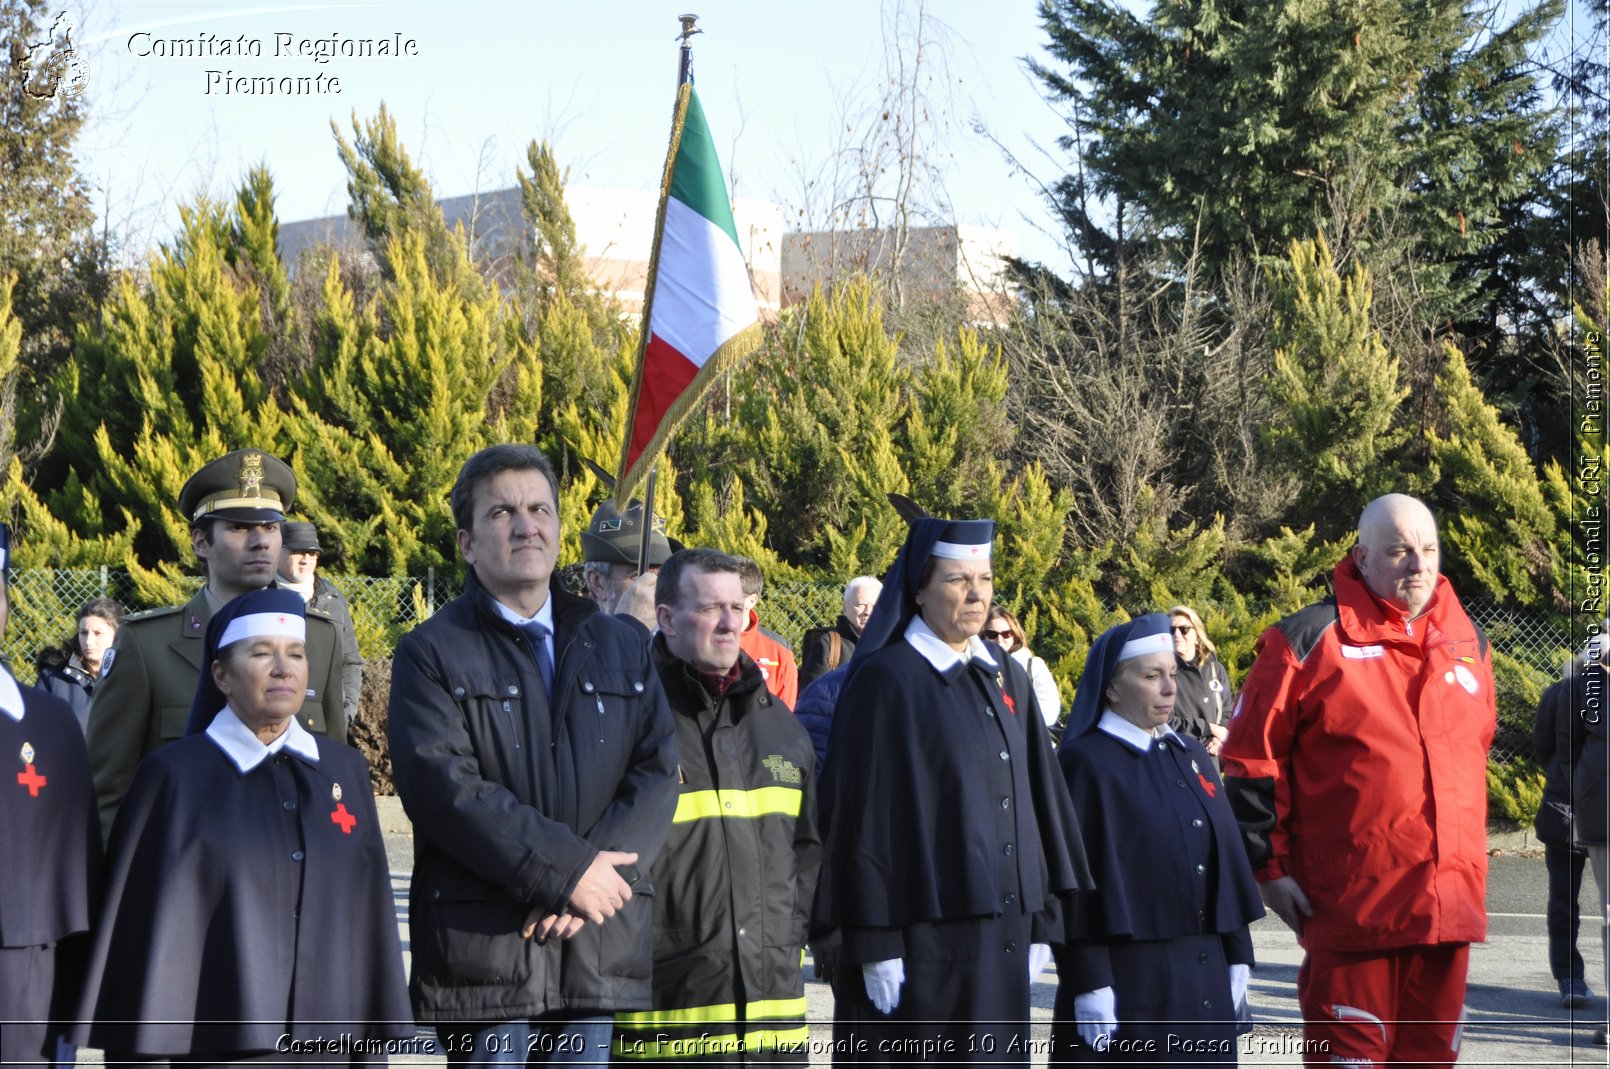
x: 1387, y: 1007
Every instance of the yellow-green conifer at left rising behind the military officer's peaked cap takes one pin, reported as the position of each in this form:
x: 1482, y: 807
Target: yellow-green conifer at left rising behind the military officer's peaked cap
x: 168, y: 382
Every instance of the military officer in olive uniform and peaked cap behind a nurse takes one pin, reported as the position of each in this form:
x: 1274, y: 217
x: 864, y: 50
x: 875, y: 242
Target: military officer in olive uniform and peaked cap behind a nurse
x: 149, y: 679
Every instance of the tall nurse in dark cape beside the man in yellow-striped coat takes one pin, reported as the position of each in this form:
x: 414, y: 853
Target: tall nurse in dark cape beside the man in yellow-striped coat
x: 951, y: 848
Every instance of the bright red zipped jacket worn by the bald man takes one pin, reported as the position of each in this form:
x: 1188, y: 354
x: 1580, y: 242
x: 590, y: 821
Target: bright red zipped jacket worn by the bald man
x: 1356, y: 764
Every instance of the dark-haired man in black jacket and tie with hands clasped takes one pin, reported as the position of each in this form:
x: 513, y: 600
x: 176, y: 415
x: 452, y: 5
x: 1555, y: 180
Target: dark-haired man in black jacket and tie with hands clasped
x: 537, y: 757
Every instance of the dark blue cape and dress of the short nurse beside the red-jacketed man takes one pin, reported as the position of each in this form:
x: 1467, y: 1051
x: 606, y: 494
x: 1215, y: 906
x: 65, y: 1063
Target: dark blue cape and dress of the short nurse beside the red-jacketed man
x: 1171, y: 910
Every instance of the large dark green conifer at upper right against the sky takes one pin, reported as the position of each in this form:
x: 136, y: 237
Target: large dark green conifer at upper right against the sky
x: 1252, y: 123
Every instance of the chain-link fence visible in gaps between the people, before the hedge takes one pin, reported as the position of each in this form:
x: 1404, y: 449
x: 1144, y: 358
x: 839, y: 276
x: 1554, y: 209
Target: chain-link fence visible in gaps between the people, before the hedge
x: 1529, y: 648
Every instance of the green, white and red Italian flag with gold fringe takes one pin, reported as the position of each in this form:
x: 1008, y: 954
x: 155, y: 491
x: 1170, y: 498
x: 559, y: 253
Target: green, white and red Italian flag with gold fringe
x: 700, y: 308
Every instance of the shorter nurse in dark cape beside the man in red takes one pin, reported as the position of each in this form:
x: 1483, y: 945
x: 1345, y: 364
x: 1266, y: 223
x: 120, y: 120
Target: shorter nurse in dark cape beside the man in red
x: 1158, y: 973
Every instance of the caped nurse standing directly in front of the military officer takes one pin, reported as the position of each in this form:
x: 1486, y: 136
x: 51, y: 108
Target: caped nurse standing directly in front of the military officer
x: 249, y: 909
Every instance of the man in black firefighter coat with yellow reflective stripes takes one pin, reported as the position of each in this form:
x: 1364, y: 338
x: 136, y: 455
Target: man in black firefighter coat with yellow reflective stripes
x: 738, y: 875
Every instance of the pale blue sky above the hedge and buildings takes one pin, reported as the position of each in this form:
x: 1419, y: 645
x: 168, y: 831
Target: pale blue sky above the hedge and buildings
x: 786, y: 89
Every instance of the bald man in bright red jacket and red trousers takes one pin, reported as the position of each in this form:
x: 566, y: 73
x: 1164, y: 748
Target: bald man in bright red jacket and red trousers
x: 1356, y: 767
